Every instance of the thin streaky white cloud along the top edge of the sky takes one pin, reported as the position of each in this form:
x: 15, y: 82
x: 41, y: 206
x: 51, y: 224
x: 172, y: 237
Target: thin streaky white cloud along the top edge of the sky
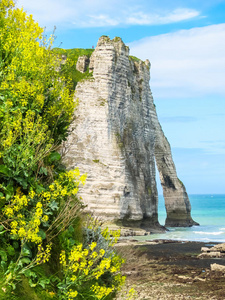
x: 99, y: 13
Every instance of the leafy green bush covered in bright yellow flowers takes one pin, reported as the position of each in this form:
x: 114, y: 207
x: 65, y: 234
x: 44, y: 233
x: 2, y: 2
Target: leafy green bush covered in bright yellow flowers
x: 43, y: 240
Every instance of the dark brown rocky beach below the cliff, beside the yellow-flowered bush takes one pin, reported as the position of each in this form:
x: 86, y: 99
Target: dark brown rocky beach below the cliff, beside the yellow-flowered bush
x: 166, y: 269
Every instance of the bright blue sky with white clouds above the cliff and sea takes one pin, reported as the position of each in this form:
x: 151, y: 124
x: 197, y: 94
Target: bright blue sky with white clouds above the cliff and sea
x: 185, y: 43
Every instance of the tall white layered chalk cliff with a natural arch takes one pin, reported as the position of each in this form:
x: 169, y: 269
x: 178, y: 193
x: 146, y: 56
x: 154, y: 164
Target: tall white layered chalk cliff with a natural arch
x: 117, y: 139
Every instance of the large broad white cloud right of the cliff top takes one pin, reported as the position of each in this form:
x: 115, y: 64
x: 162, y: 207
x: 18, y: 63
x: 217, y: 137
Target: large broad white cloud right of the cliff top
x: 186, y: 62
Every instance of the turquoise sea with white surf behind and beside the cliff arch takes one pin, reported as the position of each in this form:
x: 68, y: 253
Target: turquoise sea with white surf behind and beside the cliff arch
x: 207, y: 210
